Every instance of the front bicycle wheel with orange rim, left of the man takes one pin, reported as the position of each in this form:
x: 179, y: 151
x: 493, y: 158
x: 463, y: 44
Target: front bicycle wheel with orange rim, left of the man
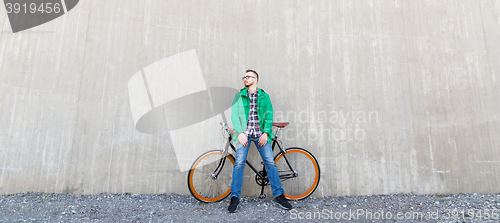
x: 209, y: 179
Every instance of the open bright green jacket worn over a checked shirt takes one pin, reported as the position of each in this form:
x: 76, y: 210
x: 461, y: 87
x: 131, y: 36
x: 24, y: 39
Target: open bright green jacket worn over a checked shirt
x: 241, y: 108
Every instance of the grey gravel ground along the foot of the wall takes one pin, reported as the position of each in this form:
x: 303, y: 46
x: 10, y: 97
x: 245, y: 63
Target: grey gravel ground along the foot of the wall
x: 41, y: 207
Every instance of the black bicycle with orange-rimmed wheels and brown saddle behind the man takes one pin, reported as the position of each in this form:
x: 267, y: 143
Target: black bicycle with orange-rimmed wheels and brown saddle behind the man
x: 209, y: 179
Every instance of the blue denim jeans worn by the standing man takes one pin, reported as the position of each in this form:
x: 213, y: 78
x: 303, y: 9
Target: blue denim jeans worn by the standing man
x: 266, y: 153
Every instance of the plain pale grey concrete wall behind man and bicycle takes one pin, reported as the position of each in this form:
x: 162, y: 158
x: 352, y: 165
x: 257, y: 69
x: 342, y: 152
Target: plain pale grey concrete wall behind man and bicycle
x: 391, y: 96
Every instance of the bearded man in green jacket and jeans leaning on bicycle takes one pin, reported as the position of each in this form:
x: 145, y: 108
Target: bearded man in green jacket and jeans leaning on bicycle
x: 252, y: 118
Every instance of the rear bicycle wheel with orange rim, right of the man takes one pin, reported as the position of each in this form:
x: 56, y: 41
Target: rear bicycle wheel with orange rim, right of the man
x: 303, y: 179
